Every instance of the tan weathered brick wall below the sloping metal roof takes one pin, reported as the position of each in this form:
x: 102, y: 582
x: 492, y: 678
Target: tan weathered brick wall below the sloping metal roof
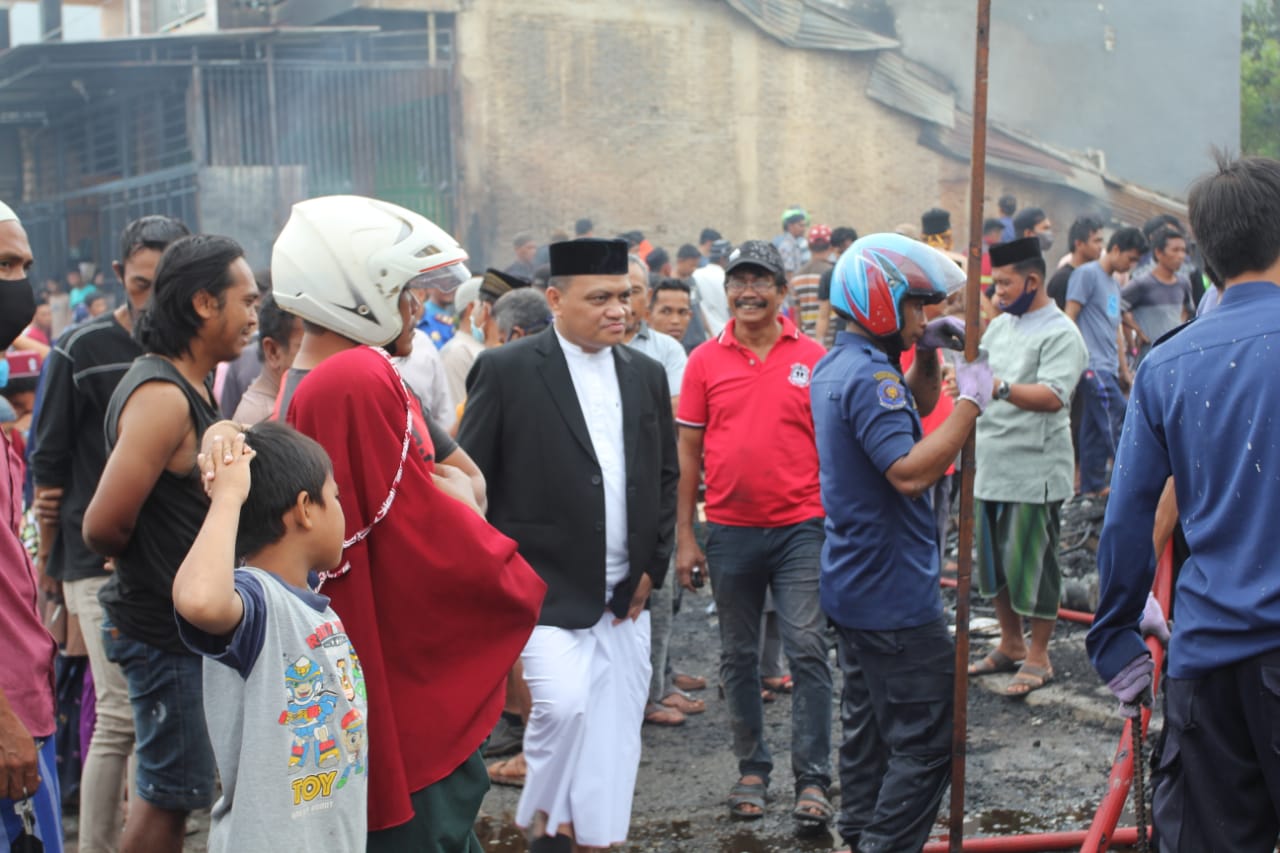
x: 669, y: 116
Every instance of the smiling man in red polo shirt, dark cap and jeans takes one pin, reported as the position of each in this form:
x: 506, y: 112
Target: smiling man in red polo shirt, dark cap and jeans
x: 744, y: 416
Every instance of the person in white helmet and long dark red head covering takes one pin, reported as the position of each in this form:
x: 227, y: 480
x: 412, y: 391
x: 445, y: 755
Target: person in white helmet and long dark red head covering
x: 438, y: 601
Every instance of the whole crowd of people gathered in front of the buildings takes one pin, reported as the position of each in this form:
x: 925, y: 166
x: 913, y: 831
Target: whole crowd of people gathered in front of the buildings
x: 348, y: 540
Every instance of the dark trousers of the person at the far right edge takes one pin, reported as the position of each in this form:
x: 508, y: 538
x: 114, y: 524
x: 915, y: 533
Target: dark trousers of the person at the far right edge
x: 1219, y: 782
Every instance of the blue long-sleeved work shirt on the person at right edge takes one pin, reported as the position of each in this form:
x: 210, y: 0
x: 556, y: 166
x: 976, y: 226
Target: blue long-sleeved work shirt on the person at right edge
x: 1204, y: 410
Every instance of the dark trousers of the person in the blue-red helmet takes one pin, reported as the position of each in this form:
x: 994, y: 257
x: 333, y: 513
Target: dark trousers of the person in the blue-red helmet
x: 897, y: 754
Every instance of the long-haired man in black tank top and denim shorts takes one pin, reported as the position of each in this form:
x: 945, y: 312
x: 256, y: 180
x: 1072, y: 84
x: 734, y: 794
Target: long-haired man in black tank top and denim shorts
x: 148, y: 510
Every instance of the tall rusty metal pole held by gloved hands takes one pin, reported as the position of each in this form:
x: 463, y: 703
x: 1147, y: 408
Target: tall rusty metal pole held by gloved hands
x: 964, y: 559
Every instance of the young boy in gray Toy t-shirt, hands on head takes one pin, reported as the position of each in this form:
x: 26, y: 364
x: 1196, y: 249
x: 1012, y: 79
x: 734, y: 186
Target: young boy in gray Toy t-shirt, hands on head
x: 285, y: 695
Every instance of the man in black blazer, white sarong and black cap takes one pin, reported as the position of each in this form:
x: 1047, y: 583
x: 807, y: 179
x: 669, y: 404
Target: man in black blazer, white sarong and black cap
x: 575, y: 437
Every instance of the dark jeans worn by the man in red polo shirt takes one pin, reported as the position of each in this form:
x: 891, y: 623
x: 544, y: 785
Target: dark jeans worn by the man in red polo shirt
x: 743, y: 563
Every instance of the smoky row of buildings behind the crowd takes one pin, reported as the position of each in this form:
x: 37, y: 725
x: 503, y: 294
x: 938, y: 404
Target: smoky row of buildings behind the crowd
x: 497, y: 117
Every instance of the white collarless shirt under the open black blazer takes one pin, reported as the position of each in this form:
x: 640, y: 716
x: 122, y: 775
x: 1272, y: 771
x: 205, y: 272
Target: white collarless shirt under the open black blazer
x: 596, y: 382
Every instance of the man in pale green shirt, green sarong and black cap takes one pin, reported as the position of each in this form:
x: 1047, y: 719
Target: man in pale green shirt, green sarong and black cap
x: 1026, y: 466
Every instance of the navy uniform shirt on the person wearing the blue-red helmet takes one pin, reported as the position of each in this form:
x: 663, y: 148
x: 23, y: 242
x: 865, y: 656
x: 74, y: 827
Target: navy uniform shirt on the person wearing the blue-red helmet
x: 880, y: 564
